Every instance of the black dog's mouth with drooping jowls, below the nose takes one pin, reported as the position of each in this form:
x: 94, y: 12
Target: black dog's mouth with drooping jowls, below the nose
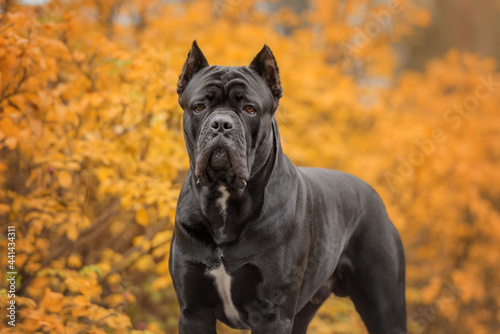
x: 221, y: 163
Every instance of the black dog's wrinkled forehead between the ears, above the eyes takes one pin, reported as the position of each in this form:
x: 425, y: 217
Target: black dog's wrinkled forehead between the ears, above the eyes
x: 225, y: 80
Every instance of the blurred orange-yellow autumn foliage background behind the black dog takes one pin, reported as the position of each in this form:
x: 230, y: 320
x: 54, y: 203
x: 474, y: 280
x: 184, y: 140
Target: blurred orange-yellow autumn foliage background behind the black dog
x: 404, y: 94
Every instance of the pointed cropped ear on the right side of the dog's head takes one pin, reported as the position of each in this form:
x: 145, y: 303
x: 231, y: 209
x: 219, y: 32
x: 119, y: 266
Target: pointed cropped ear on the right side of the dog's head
x: 265, y: 65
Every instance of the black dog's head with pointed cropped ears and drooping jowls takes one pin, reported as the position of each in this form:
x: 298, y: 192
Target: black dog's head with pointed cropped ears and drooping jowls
x: 228, y: 113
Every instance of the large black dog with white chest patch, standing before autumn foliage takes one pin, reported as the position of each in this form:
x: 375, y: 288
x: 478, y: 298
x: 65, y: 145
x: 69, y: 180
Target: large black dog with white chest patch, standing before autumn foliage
x: 260, y: 244
